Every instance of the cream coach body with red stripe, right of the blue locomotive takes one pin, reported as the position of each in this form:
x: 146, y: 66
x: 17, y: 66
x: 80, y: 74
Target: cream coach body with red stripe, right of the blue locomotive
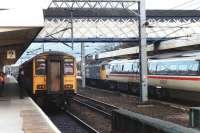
x: 178, y: 75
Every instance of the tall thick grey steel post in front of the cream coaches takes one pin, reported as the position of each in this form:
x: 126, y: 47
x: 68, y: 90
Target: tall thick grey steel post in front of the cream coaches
x: 143, y: 53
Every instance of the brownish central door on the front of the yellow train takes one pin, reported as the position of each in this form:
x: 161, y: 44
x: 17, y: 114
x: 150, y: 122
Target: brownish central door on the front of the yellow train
x: 55, y: 75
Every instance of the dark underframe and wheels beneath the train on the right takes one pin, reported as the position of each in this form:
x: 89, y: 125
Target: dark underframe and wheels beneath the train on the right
x: 154, y: 92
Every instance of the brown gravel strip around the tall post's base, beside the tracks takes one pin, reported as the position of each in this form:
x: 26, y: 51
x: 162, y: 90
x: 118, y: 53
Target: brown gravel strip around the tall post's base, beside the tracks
x: 155, y: 109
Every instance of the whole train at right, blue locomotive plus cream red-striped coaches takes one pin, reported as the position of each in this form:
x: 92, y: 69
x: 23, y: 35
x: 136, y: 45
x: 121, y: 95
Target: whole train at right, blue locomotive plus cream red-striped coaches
x: 175, y: 78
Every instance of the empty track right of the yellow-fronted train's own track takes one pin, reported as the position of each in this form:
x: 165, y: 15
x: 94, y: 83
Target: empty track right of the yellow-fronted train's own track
x: 98, y: 106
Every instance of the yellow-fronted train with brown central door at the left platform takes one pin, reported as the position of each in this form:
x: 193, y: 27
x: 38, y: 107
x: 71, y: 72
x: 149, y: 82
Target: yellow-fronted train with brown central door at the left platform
x: 50, y: 77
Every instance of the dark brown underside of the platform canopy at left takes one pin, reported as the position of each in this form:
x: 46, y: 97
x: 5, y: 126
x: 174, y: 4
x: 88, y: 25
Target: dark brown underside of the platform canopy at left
x: 15, y: 39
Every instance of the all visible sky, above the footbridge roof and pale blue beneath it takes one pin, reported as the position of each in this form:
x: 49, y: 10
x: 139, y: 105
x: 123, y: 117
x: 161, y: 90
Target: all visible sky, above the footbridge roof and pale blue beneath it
x: 43, y: 4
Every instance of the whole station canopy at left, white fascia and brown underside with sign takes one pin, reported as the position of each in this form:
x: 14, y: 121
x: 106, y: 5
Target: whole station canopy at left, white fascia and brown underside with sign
x: 18, y: 28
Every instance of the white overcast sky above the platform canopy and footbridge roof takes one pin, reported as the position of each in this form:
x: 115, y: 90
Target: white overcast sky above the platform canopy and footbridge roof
x: 150, y: 4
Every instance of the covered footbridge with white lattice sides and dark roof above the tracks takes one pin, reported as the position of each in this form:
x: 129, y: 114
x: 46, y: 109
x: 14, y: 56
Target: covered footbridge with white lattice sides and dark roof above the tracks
x: 113, y: 21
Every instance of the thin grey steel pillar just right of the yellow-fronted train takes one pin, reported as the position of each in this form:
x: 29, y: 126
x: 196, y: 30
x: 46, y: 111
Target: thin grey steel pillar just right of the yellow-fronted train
x: 83, y: 64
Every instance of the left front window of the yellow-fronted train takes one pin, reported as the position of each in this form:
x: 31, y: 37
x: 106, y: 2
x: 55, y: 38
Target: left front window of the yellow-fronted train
x: 40, y: 67
